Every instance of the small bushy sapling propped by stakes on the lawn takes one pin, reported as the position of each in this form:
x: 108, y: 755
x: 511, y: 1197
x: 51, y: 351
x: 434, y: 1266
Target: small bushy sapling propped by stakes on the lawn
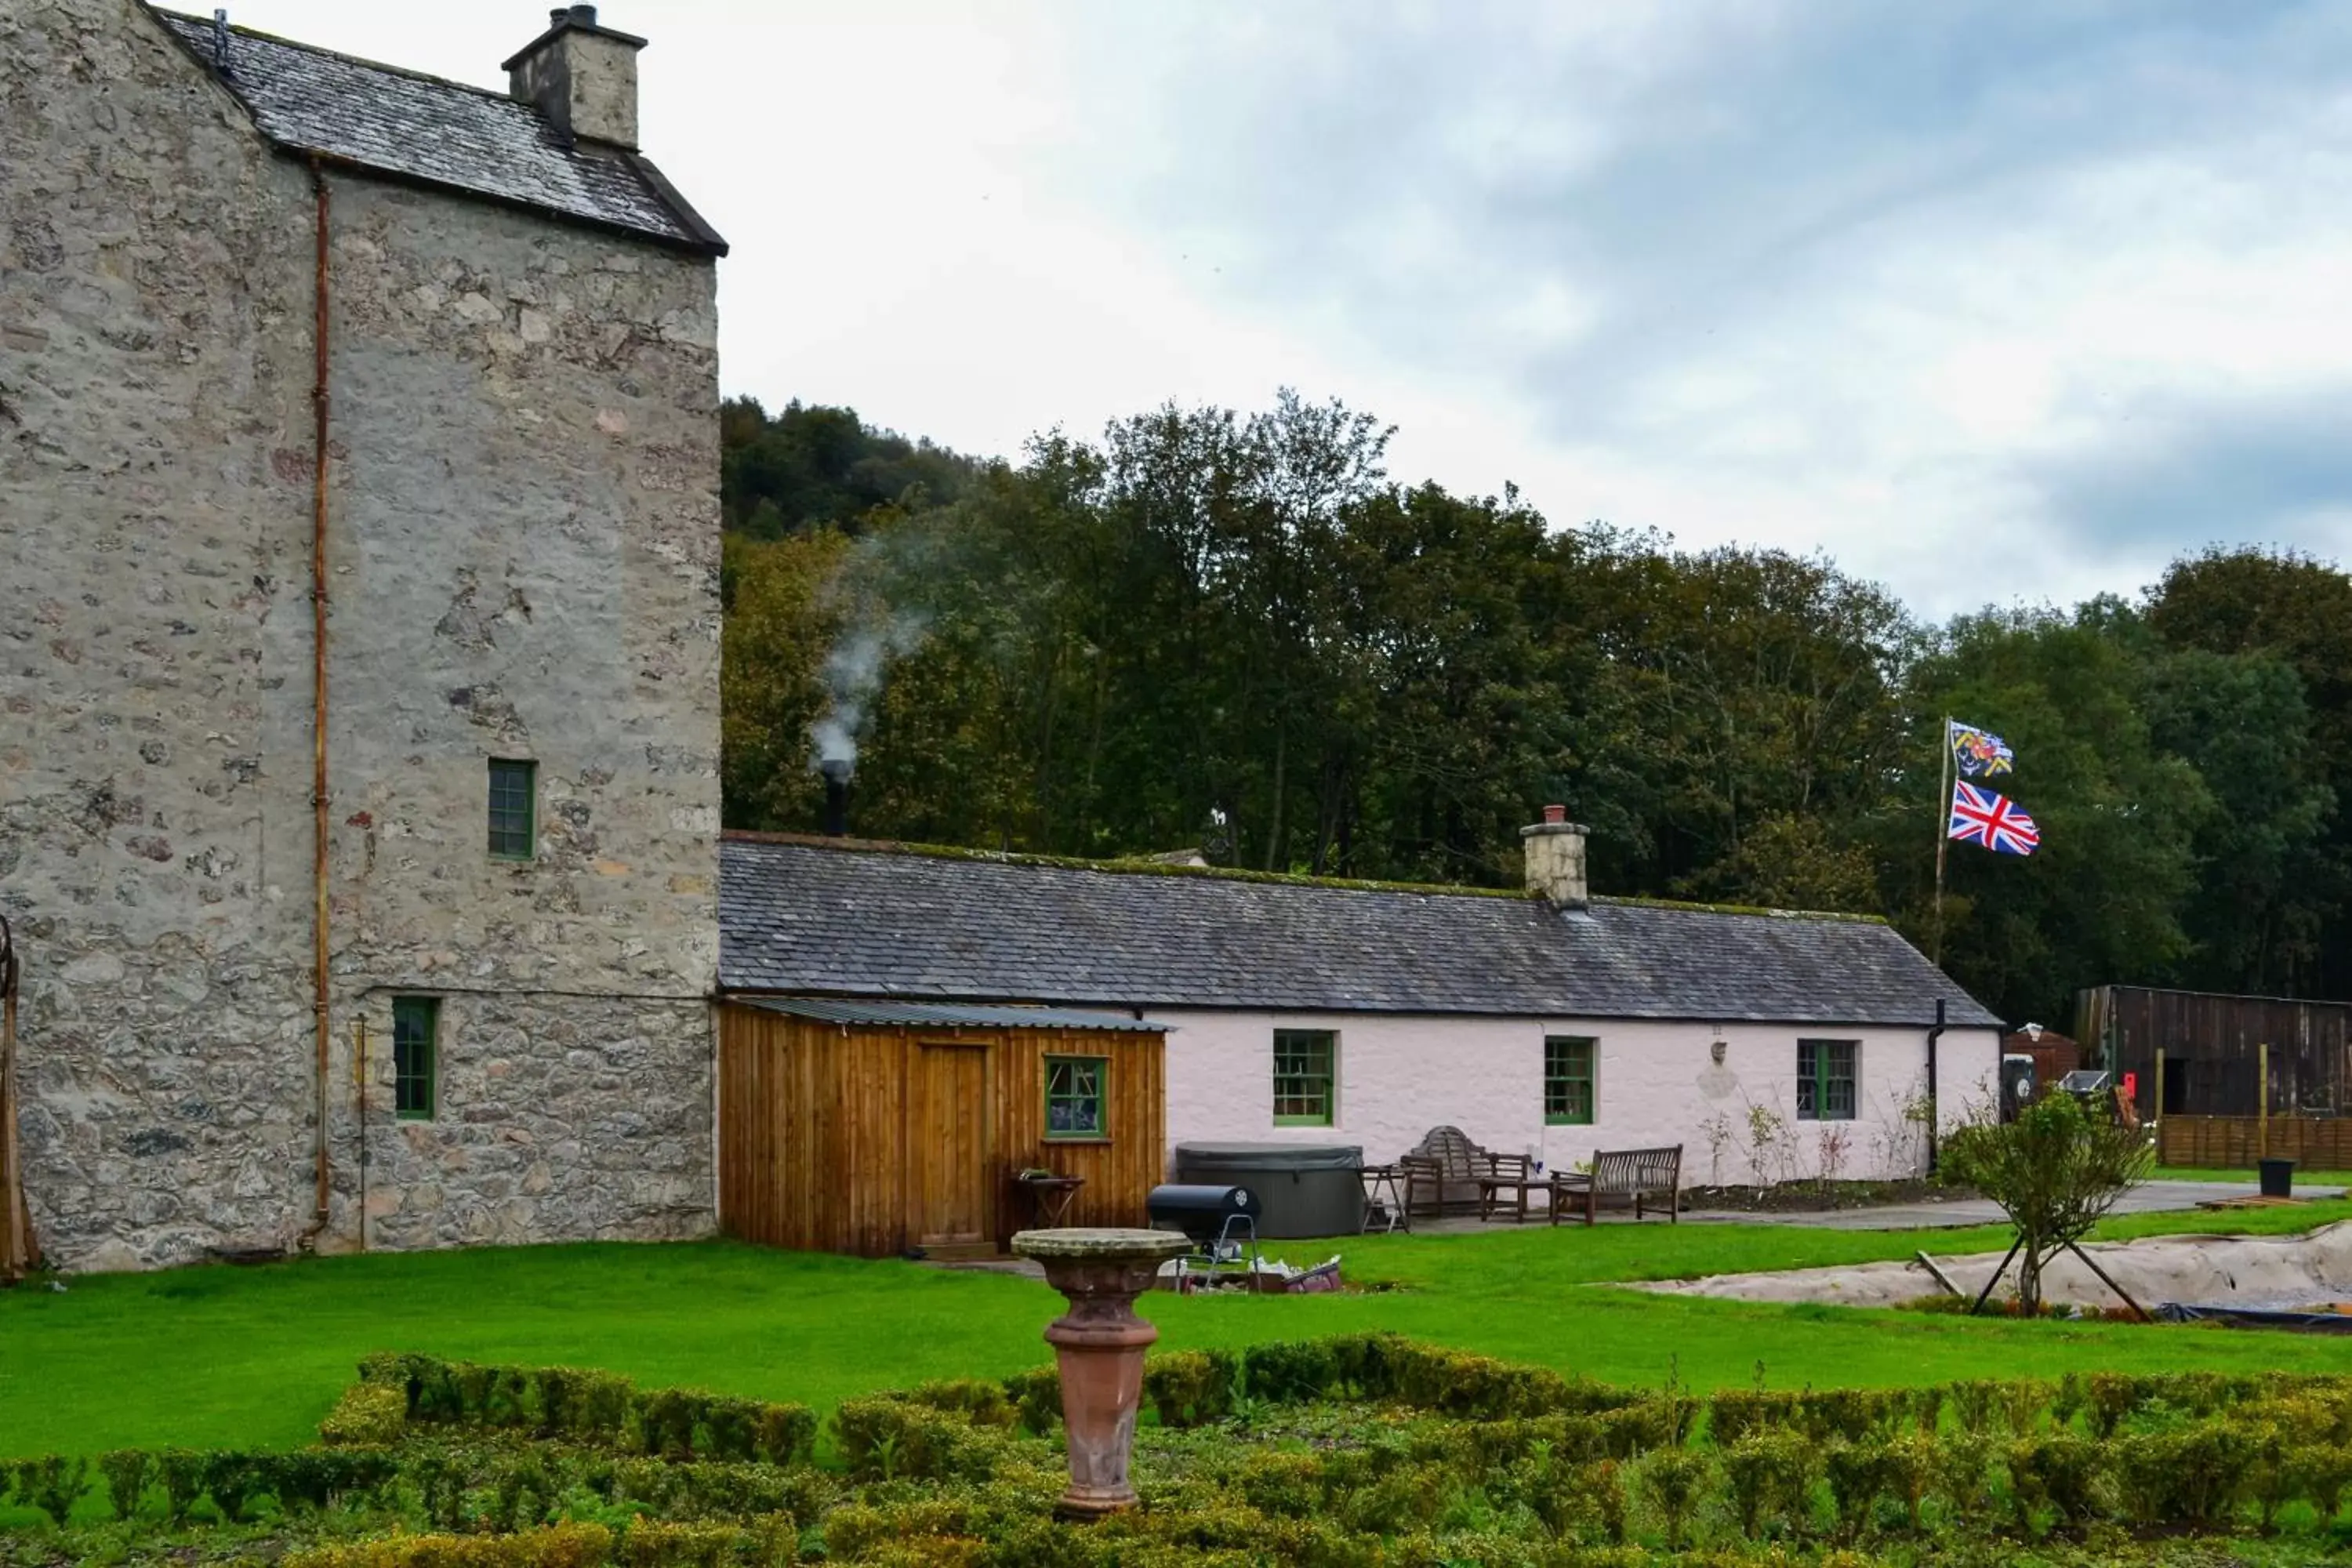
x: 2054, y: 1172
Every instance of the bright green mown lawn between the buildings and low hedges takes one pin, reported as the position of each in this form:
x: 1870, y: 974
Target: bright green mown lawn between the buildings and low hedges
x: 253, y: 1358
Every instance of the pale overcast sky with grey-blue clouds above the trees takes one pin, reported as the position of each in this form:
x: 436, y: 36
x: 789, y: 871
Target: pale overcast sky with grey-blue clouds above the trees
x: 1989, y: 302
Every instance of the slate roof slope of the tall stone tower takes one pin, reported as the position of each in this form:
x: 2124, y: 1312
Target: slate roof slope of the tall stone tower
x: 436, y: 133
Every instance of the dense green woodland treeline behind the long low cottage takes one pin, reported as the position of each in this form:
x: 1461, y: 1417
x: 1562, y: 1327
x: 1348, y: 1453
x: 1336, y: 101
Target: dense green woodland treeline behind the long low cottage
x: 1238, y: 631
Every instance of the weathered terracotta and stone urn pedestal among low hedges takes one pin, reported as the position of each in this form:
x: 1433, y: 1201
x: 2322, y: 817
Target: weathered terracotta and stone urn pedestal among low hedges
x: 1100, y: 1343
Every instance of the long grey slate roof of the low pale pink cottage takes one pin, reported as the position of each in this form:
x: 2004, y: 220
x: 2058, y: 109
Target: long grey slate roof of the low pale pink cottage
x: 878, y: 920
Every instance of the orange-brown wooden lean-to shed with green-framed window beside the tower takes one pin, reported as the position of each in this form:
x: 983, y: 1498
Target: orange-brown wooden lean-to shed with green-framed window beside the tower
x: 881, y: 1127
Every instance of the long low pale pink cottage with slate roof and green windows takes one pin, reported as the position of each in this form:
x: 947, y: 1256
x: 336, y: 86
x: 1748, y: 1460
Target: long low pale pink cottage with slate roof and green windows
x: 1772, y: 1045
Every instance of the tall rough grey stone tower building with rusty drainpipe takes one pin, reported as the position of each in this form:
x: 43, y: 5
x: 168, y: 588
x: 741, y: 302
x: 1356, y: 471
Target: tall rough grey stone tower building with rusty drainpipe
x: 359, y: 603
